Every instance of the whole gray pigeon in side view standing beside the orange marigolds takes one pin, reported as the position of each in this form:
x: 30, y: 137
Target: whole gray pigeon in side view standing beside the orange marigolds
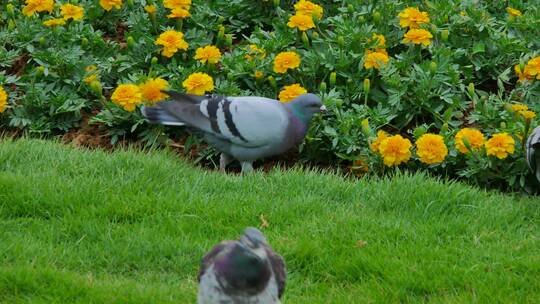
x: 242, y: 128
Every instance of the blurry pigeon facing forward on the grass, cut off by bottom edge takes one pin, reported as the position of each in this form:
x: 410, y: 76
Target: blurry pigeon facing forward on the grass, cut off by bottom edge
x: 246, y: 271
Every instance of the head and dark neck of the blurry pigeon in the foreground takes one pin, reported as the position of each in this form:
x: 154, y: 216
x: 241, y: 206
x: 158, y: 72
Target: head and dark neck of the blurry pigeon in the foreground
x: 244, y: 267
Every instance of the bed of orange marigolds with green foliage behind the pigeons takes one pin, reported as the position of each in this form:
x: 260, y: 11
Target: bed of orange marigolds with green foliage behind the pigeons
x: 438, y: 86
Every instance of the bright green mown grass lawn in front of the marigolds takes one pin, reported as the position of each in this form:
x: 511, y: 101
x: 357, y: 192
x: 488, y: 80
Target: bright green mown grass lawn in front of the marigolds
x: 81, y: 226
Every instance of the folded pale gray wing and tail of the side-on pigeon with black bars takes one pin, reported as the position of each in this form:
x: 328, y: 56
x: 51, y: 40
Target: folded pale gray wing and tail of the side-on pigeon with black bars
x: 244, y: 121
